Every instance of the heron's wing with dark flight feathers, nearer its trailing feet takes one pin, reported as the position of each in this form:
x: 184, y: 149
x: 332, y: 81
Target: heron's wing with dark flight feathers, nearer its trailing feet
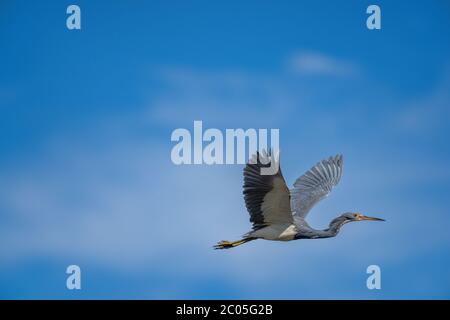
x: 266, y: 196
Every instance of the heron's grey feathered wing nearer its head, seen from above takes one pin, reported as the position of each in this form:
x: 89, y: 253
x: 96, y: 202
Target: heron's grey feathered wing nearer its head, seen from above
x: 315, y: 185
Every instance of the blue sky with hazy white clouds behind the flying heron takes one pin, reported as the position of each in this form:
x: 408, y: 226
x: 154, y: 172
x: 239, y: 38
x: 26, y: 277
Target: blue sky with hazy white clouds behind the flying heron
x: 86, y: 118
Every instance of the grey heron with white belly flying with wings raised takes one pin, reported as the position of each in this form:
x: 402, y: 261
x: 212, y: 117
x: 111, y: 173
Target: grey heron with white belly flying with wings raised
x: 278, y: 213
